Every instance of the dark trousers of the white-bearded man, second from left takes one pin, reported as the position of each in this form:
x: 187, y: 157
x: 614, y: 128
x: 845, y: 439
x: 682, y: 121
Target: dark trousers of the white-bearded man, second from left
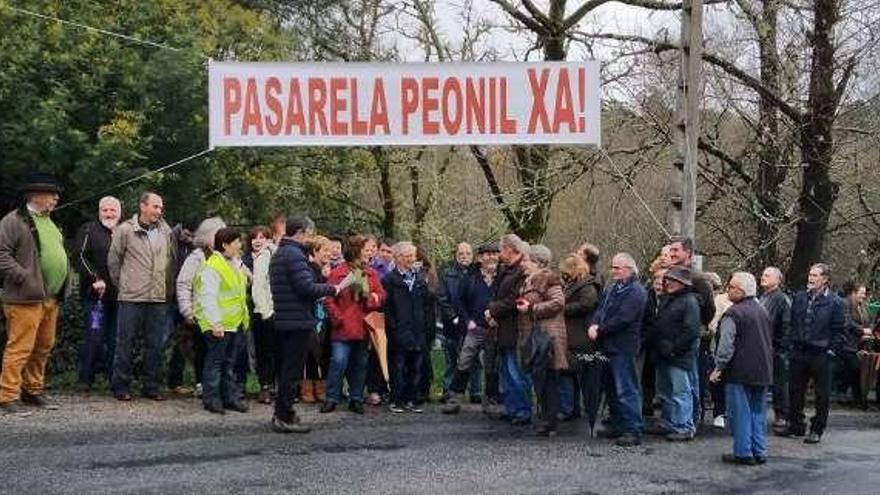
x: 98, y: 345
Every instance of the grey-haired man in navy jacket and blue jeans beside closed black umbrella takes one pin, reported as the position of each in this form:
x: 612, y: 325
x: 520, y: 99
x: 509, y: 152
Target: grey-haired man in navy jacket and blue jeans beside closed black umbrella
x: 617, y: 325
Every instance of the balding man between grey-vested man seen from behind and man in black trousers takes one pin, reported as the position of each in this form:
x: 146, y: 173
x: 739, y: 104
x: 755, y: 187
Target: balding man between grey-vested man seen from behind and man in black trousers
x: 778, y: 306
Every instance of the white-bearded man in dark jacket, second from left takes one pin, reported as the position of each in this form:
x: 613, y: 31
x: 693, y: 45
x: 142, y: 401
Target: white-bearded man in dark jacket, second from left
x: 97, y: 291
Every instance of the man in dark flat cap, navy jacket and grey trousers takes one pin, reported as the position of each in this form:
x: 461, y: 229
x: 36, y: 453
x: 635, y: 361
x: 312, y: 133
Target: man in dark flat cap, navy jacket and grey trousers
x: 476, y: 293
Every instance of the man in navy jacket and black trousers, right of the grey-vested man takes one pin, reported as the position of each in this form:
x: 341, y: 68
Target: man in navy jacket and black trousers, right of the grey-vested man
x: 818, y: 322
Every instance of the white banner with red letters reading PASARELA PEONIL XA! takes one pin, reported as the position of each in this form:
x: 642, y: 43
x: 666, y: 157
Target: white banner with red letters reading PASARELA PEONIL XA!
x: 349, y: 104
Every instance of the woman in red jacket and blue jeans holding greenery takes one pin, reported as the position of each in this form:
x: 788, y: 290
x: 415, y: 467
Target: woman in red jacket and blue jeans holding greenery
x: 348, y: 332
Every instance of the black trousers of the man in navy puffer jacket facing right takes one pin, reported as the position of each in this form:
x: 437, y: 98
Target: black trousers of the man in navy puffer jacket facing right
x: 290, y: 356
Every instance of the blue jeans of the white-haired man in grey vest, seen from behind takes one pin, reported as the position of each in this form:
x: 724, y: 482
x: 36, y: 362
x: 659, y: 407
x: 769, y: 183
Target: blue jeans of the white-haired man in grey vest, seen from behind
x: 747, y: 418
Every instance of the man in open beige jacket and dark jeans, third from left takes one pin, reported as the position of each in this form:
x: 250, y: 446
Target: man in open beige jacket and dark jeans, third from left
x: 142, y: 263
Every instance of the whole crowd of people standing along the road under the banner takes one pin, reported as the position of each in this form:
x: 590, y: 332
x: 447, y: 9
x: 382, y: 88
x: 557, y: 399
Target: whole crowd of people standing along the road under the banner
x: 353, y: 321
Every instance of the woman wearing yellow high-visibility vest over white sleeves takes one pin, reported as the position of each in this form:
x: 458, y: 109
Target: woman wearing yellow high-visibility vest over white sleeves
x: 220, y: 288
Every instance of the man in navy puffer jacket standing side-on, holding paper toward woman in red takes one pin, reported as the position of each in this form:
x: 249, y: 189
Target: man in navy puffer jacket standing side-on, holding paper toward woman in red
x: 294, y: 293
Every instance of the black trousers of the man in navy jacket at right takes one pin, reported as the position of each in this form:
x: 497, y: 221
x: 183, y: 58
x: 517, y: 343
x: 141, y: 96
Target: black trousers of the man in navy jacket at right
x: 806, y: 366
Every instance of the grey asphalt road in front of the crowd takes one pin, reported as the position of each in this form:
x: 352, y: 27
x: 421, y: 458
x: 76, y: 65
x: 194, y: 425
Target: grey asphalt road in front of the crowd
x: 96, y: 445
